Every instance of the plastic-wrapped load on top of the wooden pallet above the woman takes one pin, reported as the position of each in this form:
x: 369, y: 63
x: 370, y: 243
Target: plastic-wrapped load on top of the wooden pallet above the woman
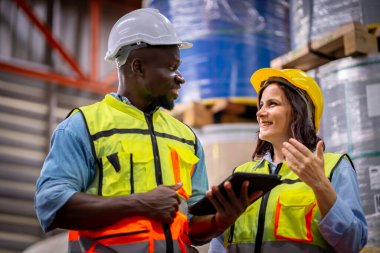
x: 312, y: 19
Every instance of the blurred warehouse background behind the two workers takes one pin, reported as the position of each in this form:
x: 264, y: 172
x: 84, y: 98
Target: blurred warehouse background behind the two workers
x: 52, y: 60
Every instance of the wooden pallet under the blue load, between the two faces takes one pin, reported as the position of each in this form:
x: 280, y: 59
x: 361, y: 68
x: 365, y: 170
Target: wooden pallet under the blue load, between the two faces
x: 202, y: 113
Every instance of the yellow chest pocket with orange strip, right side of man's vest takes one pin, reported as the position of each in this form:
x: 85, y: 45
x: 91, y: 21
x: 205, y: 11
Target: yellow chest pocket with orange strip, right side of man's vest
x: 183, y: 161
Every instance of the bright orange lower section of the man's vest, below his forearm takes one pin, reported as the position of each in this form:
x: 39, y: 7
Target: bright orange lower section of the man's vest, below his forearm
x: 137, y: 234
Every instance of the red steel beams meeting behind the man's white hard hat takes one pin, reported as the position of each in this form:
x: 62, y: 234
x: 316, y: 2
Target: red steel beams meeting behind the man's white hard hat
x: 86, y: 81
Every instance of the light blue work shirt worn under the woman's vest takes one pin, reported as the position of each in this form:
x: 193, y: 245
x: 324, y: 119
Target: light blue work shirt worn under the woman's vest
x: 344, y: 227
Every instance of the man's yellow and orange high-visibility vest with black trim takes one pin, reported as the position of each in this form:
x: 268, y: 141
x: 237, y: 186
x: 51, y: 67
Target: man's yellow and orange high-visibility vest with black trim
x: 135, y: 153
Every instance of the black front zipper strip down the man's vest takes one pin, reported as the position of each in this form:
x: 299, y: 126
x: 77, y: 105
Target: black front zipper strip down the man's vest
x: 157, y: 166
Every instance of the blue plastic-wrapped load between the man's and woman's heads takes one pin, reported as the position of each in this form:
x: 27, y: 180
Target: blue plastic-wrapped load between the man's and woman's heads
x: 231, y: 40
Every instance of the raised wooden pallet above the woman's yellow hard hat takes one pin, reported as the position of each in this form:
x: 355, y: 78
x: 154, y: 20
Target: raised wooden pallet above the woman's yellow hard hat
x: 350, y: 40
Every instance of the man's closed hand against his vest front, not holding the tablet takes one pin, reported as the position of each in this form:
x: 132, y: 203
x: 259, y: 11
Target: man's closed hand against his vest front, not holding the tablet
x: 161, y: 203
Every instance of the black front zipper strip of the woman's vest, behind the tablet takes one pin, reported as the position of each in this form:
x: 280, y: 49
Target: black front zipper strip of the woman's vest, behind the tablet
x: 261, y: 221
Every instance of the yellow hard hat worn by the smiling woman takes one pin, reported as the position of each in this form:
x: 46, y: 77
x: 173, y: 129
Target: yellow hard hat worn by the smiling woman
x: 299, y: 79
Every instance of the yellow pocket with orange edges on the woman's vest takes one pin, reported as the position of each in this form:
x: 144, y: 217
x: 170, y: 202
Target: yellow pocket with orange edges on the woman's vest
x: 294, y: 213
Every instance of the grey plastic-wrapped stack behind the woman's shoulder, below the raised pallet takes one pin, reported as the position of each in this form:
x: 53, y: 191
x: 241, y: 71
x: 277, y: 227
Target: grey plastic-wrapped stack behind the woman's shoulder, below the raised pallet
x: 351, y: 124
